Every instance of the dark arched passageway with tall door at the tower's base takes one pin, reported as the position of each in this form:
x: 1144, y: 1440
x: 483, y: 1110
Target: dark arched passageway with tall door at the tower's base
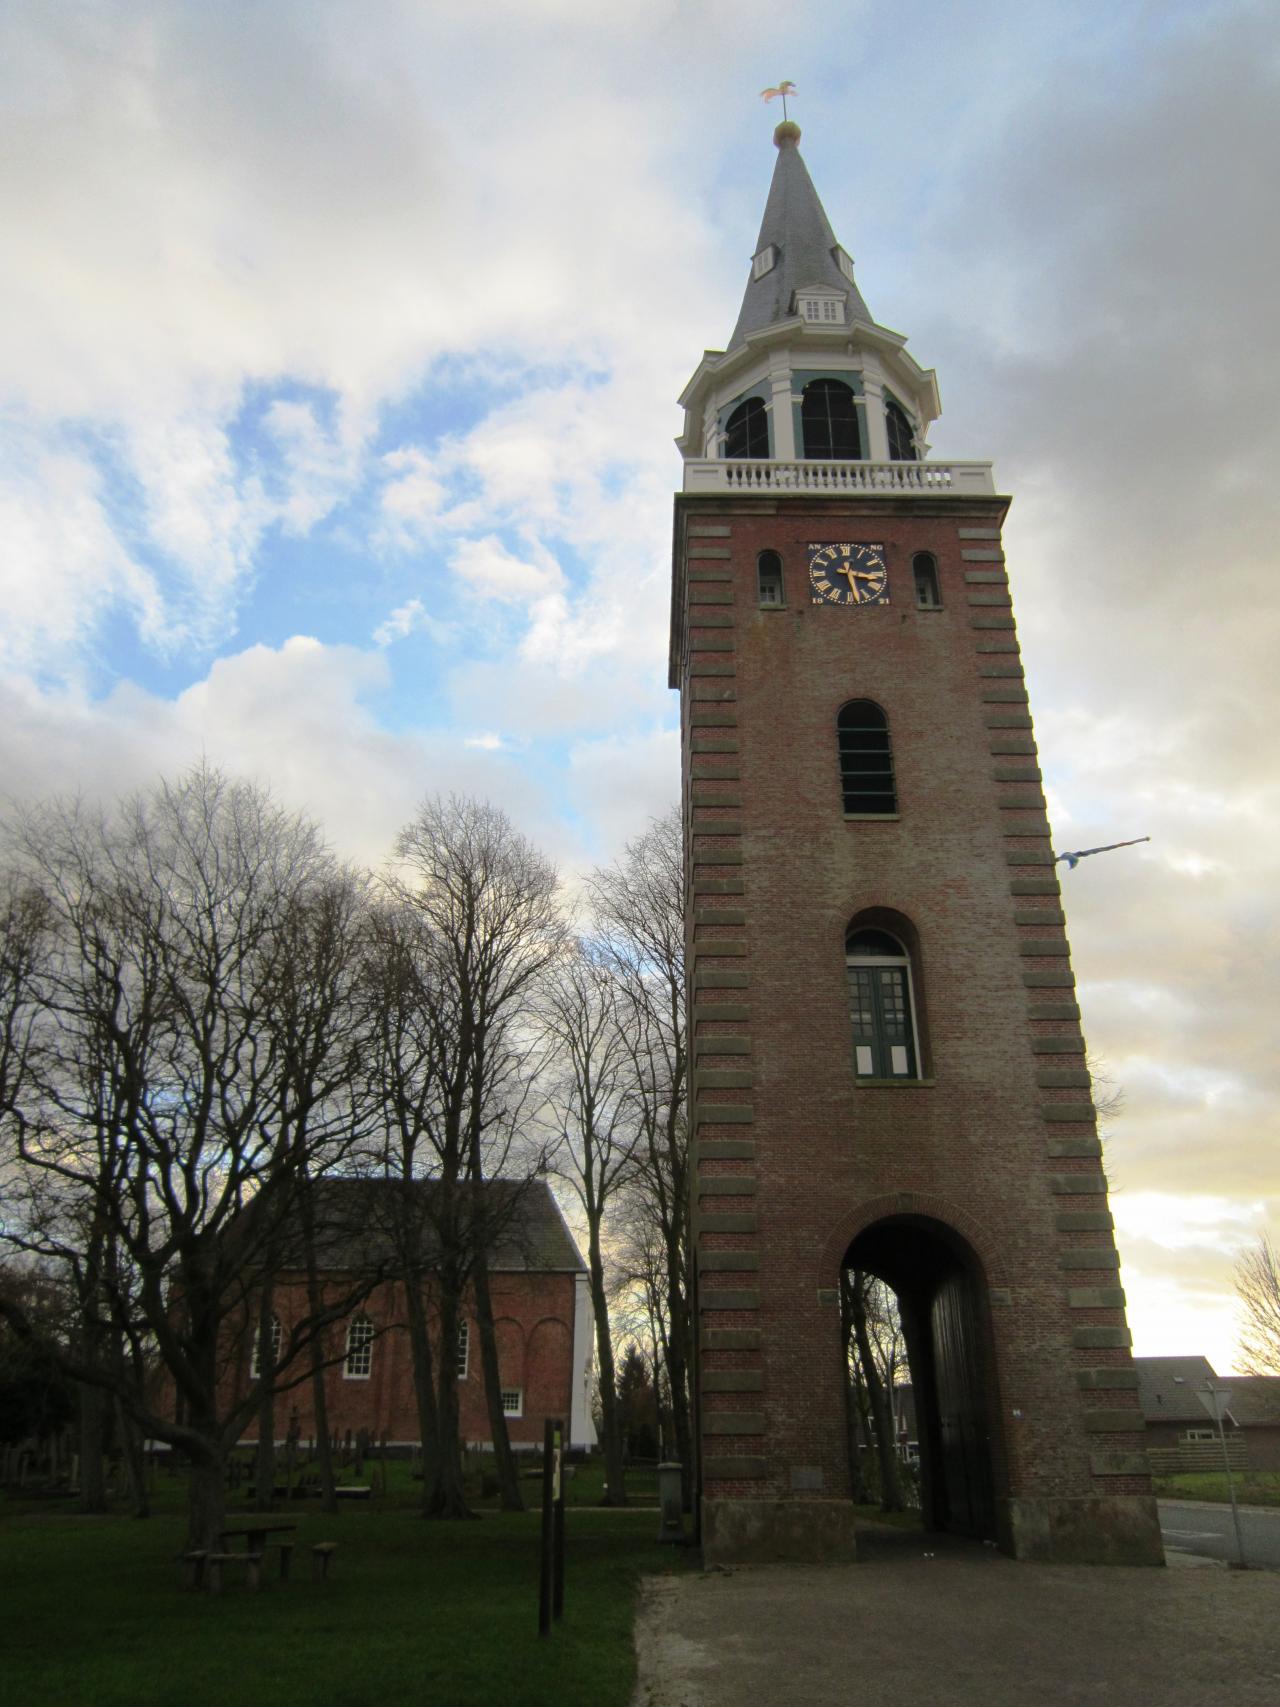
x: 940, y: 1288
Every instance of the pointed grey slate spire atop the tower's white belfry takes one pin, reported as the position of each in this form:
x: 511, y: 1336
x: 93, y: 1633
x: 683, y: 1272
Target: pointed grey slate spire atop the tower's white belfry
x: 798, y: 226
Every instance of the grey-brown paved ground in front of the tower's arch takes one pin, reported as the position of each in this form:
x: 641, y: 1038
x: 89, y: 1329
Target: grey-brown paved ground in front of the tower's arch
x: 958, y: 1628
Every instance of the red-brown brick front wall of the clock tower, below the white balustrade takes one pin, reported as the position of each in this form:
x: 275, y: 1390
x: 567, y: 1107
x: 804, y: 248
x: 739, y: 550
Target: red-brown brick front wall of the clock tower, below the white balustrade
x: 793, y: 1160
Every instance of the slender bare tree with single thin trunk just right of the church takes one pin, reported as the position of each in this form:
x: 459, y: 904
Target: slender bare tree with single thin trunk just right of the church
x: 596, y: 1114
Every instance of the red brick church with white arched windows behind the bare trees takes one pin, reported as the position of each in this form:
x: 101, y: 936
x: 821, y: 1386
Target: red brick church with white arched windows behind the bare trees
x: 544, y: 1322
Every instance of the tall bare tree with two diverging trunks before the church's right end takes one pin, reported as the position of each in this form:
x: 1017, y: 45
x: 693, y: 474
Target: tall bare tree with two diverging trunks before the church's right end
x: 489, y: 907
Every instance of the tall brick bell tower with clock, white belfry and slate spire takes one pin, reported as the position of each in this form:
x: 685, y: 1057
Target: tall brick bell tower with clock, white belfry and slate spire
x: 890, y: 1073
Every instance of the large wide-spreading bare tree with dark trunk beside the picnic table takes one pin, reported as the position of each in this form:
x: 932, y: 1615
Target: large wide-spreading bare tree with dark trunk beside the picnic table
x: 187, y: 1057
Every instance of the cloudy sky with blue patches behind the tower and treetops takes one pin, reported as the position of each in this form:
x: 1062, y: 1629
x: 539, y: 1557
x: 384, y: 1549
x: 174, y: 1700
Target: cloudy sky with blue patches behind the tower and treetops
x: 339, y: 356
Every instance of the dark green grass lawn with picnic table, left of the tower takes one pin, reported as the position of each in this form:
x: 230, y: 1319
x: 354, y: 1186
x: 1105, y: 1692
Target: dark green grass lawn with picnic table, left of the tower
x: 95, y: 1612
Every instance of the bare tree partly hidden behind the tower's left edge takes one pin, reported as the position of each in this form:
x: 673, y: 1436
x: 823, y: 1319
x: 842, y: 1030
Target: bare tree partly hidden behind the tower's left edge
x: 639, y: 916
